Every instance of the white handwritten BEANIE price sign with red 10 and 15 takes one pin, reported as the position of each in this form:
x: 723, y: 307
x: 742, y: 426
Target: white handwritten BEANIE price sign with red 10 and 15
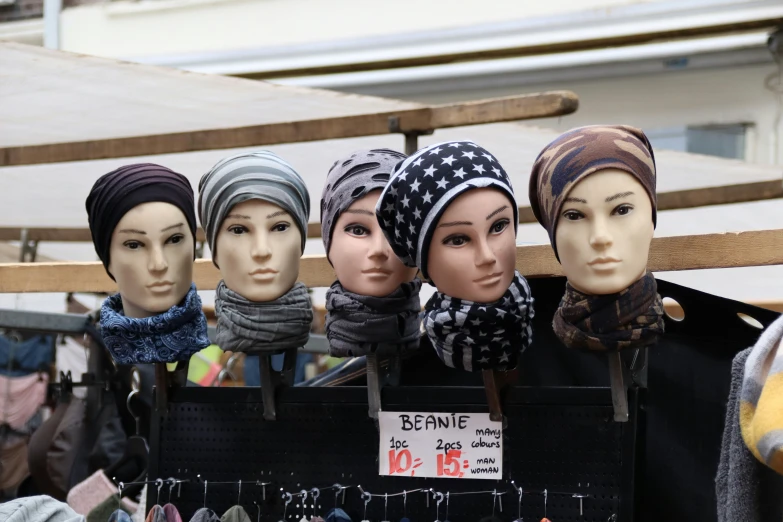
x: 445, y: 445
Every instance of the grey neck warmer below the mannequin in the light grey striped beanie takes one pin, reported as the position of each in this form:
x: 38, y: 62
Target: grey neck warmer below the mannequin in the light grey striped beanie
x: 271, y: 326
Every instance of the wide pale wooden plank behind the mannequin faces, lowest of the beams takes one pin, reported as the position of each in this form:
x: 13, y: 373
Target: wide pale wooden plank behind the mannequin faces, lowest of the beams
x: 759, y: 248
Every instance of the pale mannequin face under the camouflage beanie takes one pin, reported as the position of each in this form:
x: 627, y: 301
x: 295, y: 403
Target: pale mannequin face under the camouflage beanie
x: 604, y: 231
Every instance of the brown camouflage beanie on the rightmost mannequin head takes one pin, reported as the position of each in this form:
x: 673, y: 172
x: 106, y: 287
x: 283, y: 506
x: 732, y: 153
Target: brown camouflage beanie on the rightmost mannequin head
x: 580, y: 152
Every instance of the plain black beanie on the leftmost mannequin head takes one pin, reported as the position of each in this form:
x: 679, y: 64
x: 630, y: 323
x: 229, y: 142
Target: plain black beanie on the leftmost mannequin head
x: 117, y: 192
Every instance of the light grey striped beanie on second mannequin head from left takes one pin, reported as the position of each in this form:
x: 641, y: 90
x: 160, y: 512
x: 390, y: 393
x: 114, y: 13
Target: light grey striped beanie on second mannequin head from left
x: 251, y: 175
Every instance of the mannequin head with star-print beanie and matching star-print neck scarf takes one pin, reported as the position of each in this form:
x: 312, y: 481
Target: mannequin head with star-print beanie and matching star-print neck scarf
x: 449, y: 209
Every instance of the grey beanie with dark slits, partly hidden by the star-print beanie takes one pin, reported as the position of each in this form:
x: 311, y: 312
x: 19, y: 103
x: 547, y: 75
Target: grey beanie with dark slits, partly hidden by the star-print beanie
x: 350, y: 179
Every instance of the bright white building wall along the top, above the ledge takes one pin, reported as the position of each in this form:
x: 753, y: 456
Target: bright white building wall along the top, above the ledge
x: 155, y: 27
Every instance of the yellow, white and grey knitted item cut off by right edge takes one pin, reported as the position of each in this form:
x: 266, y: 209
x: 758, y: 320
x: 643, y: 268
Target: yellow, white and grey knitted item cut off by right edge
x: 761, y: 398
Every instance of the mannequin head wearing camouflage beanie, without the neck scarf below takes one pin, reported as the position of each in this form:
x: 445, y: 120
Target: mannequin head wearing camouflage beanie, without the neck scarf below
x: 593, y: 189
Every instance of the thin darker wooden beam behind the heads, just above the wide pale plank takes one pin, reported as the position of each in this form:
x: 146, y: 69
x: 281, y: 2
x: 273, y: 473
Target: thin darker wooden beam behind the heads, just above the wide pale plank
x: 679, y: 199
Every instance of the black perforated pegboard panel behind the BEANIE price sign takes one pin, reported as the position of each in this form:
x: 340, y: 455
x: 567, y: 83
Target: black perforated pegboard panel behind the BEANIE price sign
x: 561, y: 439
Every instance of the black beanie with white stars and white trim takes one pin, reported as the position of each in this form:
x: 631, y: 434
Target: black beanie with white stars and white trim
x: 422, y: 187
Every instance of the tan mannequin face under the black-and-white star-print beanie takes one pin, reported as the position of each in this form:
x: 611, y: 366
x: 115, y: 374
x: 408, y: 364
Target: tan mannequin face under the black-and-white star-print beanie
x: 473, y: 251
